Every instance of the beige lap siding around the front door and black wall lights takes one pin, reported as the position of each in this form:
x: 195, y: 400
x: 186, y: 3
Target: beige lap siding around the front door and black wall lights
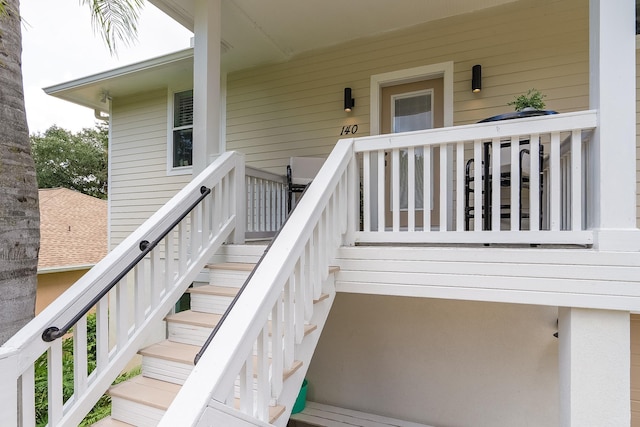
x: 295, y: 108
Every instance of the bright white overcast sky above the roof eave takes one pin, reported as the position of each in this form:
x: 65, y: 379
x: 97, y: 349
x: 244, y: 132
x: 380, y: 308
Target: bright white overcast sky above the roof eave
x: 59, y: 45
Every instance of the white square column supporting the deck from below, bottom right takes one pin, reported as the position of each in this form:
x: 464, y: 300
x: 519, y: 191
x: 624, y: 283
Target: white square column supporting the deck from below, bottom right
x: 594, y: 358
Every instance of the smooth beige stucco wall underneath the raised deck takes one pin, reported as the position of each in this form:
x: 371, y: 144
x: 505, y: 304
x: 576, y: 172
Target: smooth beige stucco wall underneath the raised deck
x: 439, y: 362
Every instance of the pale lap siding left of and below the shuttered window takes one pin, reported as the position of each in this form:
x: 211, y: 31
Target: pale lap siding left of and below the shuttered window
x: 139, y: 182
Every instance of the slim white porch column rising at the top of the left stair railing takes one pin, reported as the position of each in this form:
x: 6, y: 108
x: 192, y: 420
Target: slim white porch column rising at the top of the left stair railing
x: 206, y: 83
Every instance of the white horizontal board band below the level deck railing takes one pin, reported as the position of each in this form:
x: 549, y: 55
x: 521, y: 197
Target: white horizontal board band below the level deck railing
x: 580, y: 278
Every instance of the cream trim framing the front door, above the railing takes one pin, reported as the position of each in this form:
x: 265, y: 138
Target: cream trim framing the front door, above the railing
x: 378, y: 81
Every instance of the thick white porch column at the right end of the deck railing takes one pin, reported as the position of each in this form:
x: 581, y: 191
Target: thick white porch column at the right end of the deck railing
x: 612, y: 92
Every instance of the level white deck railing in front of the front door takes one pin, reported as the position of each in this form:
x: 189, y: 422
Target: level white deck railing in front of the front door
x: 518, y: 181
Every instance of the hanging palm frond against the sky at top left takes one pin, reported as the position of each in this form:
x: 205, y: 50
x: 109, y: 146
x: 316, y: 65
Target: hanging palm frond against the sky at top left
x: 115, y: 20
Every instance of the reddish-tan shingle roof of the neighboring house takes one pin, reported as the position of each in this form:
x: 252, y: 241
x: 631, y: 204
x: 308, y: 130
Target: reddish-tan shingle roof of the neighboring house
x: 73, y: 229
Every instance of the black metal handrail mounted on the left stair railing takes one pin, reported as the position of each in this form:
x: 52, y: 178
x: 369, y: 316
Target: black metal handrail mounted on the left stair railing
x: 52, y: 333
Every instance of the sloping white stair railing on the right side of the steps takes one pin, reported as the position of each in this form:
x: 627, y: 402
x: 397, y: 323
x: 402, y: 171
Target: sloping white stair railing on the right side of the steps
x: 283, y: 286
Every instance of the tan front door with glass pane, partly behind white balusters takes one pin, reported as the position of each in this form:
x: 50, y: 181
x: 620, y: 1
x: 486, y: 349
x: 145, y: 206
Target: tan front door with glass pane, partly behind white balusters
x: 410, y: 107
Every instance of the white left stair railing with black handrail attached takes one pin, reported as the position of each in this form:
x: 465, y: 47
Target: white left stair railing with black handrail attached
x: 179, y: 245
